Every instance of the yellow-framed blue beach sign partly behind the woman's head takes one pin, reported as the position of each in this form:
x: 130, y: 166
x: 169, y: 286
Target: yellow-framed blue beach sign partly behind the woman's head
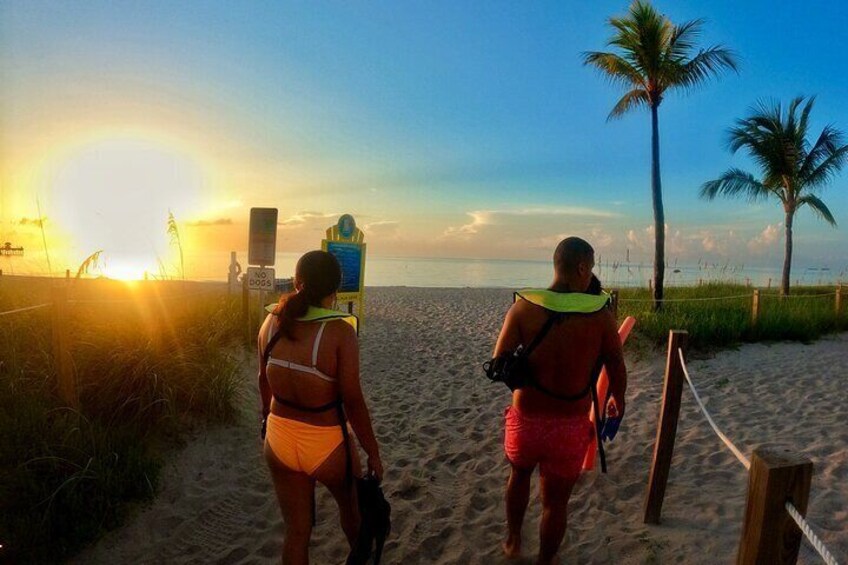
x: 347, y: 243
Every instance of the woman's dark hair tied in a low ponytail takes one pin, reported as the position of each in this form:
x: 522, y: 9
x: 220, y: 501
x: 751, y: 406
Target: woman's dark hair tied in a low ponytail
x: 319, y: 275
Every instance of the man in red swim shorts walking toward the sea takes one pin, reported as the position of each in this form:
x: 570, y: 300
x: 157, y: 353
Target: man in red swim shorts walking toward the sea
x: 544, y: 430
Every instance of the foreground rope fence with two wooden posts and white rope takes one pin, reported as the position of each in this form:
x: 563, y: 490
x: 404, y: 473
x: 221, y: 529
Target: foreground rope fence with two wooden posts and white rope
x: 778, y: 480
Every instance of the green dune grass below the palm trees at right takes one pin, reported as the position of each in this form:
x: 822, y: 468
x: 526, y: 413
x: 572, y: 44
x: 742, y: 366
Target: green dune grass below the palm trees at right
x: 720, y: 315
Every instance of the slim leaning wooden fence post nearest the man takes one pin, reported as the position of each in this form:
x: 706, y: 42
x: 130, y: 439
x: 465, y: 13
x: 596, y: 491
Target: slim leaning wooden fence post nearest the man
x: 666, y: 428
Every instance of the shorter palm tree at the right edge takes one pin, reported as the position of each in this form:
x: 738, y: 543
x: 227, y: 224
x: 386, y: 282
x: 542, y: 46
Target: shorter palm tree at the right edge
x: 792, y: 169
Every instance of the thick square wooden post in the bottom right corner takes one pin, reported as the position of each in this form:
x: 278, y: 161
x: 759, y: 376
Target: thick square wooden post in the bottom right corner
x: 769, y: 535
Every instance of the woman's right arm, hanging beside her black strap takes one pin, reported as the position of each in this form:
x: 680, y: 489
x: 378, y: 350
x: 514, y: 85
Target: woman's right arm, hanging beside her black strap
x: 354, y: 400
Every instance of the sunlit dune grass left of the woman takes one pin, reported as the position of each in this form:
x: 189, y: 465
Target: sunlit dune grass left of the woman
x: 150, y: 367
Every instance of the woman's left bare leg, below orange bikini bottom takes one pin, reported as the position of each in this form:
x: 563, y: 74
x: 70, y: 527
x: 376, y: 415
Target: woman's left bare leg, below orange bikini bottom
x: 294, y: 493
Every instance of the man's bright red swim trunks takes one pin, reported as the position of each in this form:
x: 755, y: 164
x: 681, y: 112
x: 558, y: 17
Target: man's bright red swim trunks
x: 556, y: 443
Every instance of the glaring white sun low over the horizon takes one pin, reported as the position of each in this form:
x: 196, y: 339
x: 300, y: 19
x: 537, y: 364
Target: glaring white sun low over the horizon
x: 115, y: 194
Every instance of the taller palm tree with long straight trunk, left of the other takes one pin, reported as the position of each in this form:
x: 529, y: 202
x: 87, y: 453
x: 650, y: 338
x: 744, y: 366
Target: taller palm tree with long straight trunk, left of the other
x: 654, y: 56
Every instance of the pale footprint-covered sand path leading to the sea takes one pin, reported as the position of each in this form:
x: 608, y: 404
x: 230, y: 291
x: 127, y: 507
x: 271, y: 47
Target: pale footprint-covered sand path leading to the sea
x: 439, y: 422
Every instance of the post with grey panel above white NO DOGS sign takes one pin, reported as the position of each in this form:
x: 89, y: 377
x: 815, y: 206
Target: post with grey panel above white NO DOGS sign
x: 261, y: 252
